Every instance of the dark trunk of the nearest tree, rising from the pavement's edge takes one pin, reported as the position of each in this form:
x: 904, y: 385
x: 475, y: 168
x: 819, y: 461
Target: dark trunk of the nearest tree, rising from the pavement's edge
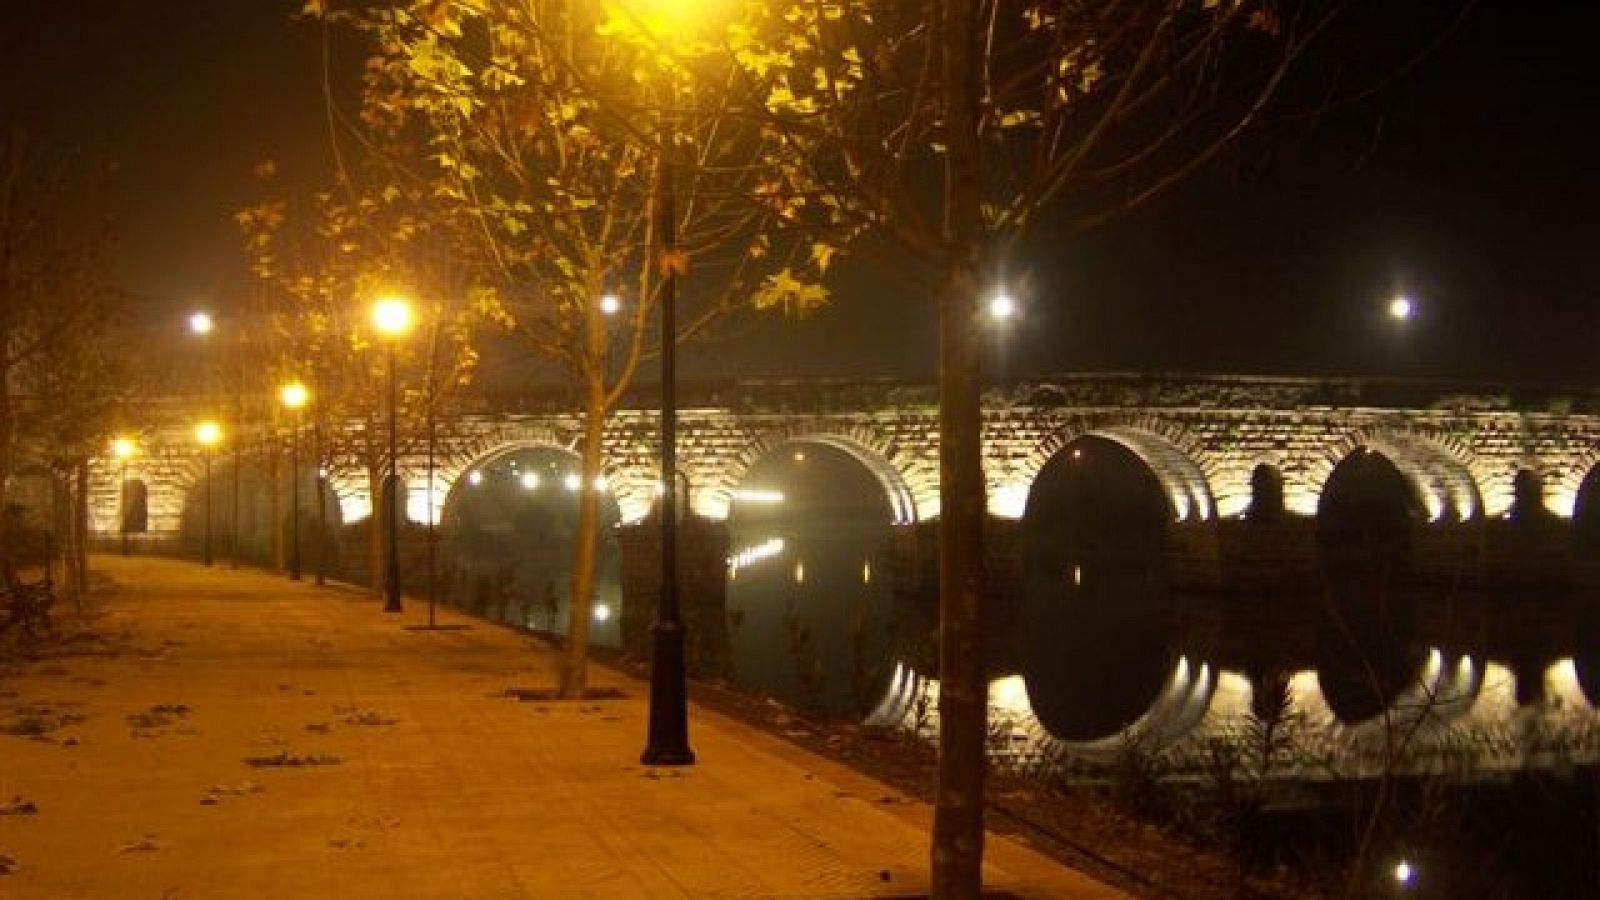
x: 959, y: 808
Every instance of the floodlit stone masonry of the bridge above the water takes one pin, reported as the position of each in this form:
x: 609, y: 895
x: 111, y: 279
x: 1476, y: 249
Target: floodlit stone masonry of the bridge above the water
x: 1202, y: 438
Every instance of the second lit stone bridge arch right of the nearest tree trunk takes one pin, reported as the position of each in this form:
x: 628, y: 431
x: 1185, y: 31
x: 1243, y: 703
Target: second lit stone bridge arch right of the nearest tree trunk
x: 1439, y: 470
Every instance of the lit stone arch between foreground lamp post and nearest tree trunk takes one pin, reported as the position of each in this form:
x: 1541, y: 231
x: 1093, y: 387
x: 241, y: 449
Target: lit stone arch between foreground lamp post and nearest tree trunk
x: 911, y: 488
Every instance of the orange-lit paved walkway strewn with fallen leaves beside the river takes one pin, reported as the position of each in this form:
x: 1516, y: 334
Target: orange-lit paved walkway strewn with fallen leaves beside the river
x: 239, y: 737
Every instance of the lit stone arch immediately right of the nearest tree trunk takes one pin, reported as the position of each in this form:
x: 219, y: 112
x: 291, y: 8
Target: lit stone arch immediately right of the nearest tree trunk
x: 1172, y: 454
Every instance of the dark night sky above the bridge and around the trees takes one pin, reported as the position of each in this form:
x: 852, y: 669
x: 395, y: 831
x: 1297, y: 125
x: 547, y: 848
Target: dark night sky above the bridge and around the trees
x: 1470, y: 183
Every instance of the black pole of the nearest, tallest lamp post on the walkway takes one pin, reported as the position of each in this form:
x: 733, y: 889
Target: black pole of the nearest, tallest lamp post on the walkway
x: 668, y: 741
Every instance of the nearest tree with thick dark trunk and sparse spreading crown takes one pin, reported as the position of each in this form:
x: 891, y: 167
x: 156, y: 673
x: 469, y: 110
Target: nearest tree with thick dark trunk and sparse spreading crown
x: 937, y: 137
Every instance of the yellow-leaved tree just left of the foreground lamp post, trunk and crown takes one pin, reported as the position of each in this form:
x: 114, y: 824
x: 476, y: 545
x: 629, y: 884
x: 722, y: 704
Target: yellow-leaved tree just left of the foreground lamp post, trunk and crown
x: 551, y: 137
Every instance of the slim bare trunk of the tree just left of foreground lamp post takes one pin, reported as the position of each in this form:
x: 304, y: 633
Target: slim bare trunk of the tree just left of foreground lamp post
x: 575, y: 661
